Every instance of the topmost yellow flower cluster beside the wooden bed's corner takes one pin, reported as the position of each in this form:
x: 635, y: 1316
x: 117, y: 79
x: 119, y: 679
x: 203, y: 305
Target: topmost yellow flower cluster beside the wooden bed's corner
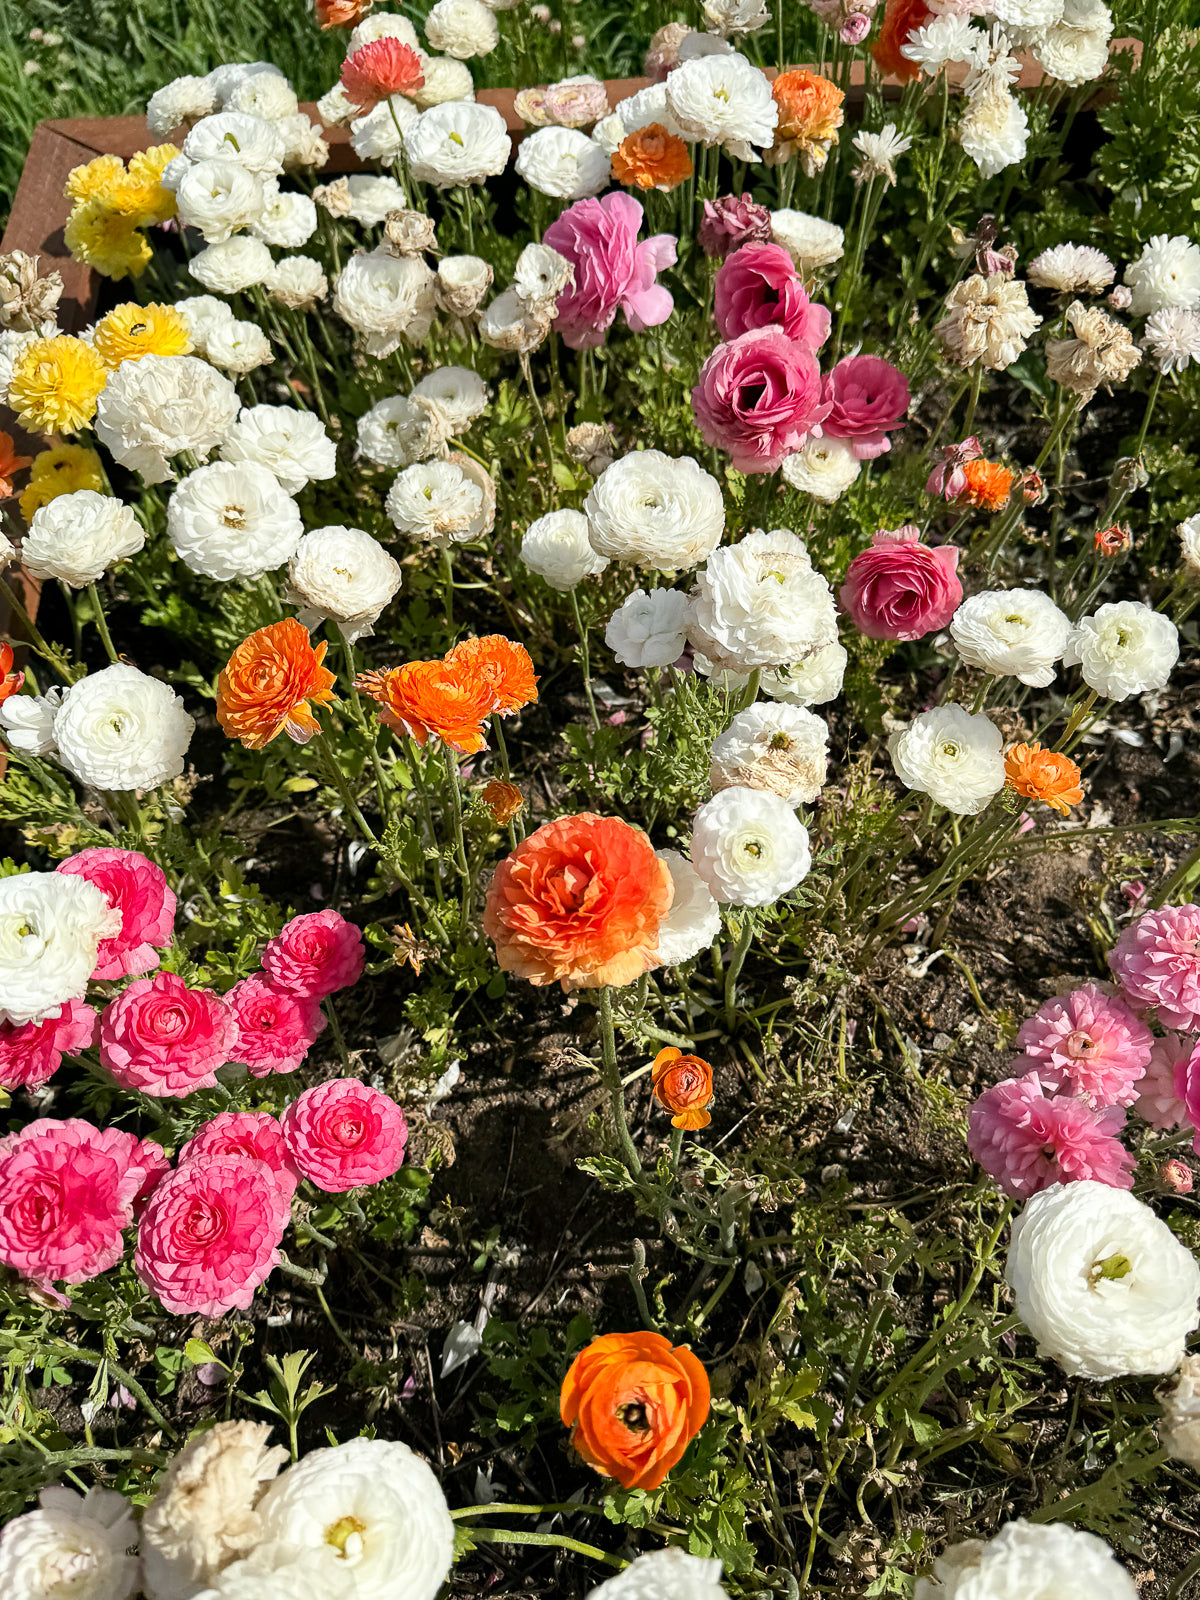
x: 113, y: 206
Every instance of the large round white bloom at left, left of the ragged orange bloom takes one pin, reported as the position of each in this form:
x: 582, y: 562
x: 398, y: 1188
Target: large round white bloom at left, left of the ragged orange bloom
x: 121, y: 729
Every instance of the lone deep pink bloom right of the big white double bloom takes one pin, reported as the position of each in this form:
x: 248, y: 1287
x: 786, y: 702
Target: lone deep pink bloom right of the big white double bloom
x: 902, y: 588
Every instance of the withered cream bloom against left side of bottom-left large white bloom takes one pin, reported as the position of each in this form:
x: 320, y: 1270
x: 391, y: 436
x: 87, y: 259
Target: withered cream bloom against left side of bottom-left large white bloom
x: 202, y: 1516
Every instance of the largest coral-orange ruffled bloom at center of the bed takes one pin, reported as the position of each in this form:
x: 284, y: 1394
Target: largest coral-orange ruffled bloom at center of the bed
x: 580, y: 903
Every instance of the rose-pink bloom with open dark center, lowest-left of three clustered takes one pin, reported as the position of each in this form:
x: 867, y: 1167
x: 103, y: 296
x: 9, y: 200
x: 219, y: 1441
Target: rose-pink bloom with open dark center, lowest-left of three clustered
x: 759, y: 398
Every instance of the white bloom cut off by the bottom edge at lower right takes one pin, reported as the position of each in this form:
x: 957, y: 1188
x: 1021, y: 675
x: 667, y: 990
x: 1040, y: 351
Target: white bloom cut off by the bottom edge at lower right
x: 1030, y: 1561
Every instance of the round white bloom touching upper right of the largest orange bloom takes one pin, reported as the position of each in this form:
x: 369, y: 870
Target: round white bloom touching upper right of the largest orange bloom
x: 750, y: 847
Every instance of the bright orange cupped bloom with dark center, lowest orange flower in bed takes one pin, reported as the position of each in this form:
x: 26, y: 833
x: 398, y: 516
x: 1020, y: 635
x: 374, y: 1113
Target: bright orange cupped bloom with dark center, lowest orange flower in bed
x: 633, y: 1402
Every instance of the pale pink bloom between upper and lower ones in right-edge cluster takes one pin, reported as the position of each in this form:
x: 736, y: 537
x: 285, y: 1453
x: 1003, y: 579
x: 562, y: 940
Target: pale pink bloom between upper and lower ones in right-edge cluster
x: 1087, y: 1044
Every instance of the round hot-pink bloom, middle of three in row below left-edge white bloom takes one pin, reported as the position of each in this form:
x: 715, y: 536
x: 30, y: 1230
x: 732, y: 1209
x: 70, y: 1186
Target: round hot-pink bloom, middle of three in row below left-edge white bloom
x: 166, y: 1039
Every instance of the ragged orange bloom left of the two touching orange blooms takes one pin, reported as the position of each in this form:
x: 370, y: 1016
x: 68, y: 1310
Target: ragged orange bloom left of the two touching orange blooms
x: 268, y: 684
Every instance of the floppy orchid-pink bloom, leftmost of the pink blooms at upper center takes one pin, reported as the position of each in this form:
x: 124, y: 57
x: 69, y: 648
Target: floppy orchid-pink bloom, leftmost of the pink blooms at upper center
x: 612, y: 270
